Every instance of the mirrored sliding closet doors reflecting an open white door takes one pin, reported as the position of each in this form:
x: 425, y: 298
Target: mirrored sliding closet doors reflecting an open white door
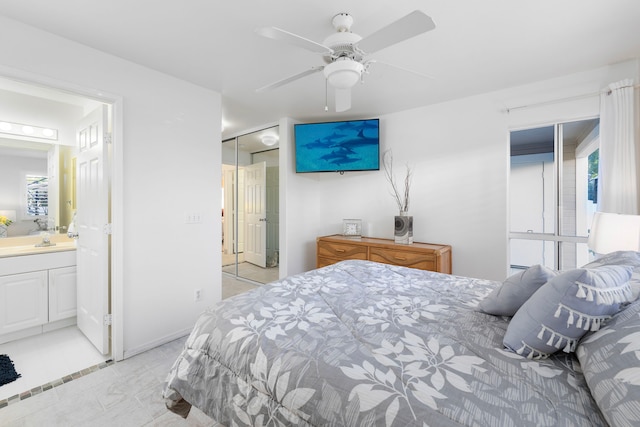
x: 250, y: 203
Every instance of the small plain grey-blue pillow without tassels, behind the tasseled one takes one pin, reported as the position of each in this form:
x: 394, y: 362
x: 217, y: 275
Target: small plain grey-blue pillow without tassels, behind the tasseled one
x: 515, y: 291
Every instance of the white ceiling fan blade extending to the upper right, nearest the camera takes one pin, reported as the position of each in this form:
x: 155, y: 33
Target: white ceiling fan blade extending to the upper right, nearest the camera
x: 417, y: 22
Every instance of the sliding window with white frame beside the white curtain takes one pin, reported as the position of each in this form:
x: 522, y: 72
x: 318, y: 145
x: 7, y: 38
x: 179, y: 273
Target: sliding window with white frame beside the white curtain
x: 553, y: 194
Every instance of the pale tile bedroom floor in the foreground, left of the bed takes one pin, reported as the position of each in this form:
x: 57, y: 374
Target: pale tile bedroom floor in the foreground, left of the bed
x: 127, y: 393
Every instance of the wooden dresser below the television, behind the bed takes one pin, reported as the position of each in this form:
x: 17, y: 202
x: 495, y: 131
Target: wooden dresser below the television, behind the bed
x: 425, y: 256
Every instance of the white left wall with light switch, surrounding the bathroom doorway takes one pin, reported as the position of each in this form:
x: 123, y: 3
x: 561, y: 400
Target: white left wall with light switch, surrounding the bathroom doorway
x: 170, y: 142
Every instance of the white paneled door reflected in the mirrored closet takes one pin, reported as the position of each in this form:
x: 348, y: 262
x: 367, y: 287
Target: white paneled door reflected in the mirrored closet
x: 255, y: 250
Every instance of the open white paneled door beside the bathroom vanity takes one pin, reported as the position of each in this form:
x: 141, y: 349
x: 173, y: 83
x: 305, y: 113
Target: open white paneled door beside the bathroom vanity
x: 92, y: 225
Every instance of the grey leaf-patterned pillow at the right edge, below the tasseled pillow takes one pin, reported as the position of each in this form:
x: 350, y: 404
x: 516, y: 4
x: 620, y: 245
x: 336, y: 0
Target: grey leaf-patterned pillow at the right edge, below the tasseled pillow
x: 610, y: 361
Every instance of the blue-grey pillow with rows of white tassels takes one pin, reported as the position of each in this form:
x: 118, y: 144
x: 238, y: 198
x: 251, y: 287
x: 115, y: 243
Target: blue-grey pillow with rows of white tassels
x: 565, y: 308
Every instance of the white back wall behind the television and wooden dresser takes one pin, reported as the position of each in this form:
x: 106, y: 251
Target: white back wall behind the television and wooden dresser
x: 460, y: 153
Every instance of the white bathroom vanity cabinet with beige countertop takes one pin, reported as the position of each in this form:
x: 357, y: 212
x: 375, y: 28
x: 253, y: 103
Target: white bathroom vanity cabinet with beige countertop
x: 37, y: 286
